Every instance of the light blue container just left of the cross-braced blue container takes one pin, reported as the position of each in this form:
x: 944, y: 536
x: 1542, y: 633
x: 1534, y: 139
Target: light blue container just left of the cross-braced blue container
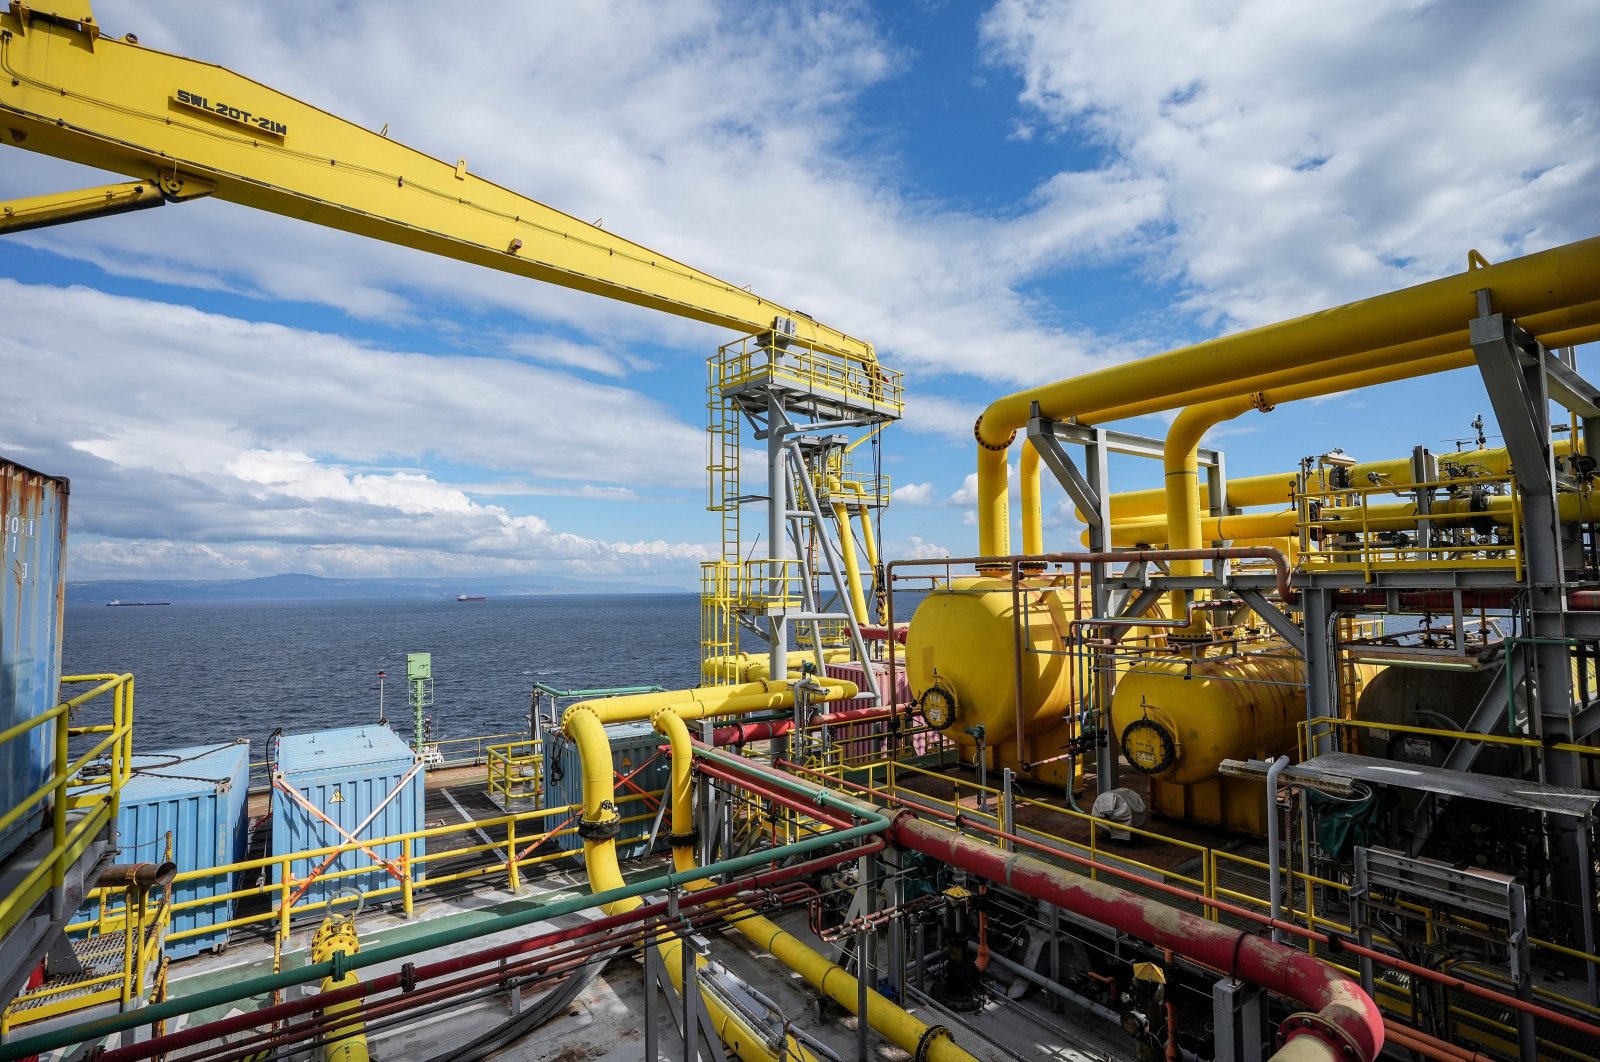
x: 199, y: 797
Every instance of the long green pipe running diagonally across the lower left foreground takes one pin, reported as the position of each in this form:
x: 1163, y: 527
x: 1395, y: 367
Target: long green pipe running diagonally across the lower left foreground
x: 425, y: 943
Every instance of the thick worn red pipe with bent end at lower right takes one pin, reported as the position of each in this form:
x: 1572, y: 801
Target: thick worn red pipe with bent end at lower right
x: 1345, y: 1026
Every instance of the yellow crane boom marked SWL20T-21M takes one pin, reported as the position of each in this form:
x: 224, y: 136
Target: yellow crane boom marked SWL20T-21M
x: 193, y: 129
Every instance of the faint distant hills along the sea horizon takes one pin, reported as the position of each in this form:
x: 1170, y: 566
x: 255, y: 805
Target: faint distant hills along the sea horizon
x: 300, y: 588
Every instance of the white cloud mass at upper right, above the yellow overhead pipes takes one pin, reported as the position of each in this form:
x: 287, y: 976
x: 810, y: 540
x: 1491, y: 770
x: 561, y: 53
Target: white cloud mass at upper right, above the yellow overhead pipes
x: 1302, y: 162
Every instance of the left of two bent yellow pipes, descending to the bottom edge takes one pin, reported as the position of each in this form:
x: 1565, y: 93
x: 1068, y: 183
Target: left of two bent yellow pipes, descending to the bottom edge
x: 586, y: 732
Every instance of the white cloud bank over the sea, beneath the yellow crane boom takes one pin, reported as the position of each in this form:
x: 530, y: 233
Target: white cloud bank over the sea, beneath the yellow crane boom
x: 215, y: 444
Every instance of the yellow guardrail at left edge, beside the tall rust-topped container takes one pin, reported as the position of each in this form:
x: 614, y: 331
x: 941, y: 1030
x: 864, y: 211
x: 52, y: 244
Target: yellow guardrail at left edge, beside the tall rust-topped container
x: 76, y: 820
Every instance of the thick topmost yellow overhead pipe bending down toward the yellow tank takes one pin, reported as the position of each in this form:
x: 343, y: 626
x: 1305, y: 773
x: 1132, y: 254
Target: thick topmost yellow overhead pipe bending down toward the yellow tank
x: 1548, y: 284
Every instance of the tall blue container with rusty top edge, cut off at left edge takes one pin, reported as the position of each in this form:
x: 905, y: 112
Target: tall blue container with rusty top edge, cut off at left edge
x: 34, y: 524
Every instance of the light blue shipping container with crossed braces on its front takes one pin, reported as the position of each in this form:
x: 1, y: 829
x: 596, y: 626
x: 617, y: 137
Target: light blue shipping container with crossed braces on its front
x: 367, y: 781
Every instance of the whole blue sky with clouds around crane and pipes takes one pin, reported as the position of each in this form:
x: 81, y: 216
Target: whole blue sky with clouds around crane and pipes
x: 996, y: 194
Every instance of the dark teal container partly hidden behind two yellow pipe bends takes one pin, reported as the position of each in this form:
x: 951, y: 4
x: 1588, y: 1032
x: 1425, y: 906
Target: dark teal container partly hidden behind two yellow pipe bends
x: 634, y: 748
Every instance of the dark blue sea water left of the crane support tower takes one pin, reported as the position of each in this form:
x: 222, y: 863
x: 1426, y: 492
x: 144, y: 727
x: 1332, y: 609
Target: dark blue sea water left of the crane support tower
x: 242, y: 669
